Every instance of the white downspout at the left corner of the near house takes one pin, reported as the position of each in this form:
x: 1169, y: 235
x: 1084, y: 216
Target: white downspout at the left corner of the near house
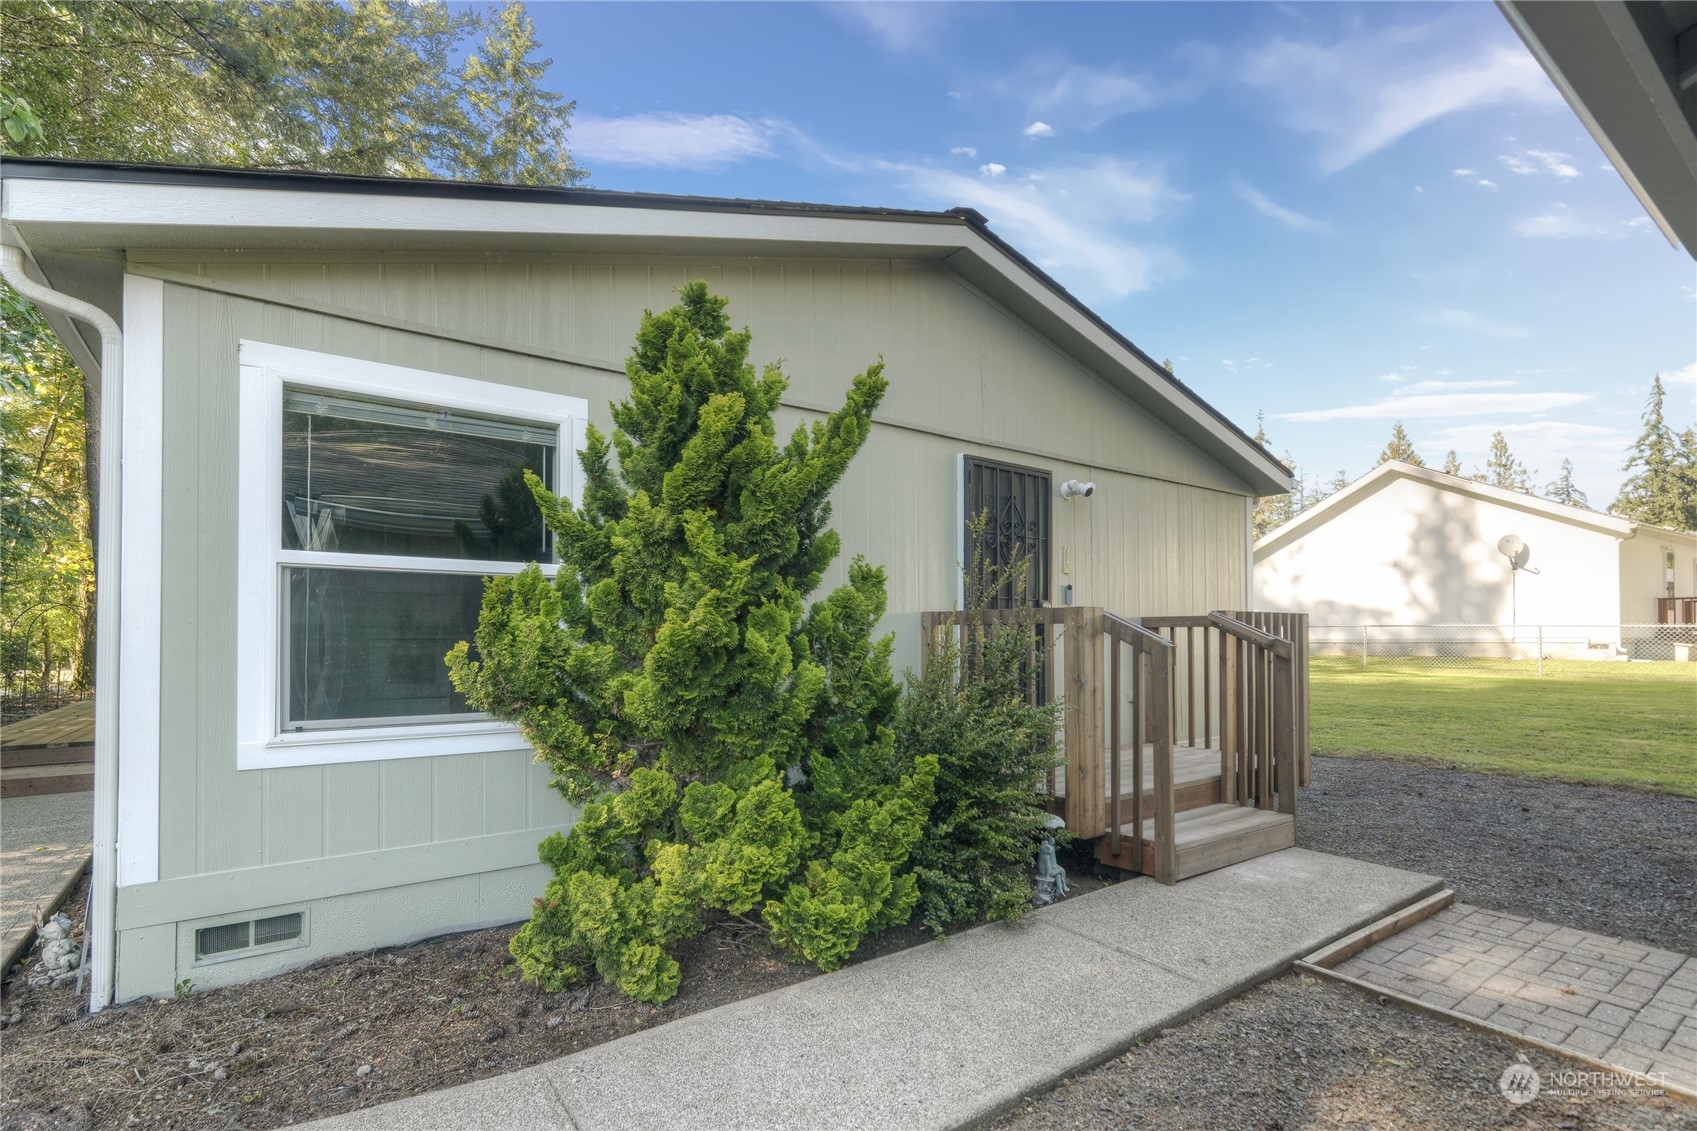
x: 101, y: 928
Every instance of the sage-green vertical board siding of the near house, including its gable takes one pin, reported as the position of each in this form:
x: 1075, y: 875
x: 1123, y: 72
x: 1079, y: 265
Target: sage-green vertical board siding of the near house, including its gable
x: 1165, y: 541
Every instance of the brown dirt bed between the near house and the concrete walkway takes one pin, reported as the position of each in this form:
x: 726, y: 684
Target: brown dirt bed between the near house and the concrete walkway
x: 345, y: 1033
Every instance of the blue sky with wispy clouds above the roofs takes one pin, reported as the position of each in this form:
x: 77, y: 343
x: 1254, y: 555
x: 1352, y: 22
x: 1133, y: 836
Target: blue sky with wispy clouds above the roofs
x: 1336, y: 215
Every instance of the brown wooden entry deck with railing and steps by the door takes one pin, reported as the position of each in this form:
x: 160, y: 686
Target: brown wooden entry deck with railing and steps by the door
x: 1185, y: 738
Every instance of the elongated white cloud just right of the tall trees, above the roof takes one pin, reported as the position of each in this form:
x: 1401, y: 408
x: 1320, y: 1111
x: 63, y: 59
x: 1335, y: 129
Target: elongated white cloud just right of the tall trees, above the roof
x: 700, y: 142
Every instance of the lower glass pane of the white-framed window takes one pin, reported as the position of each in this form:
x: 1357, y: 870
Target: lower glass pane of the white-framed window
x: 369, y: 644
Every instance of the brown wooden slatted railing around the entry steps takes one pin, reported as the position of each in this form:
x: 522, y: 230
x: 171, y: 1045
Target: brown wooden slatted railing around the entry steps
x: 1229, y: 682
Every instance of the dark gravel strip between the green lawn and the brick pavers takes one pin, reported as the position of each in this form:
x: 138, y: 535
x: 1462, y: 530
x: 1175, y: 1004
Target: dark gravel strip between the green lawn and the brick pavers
x: 1596, y: 858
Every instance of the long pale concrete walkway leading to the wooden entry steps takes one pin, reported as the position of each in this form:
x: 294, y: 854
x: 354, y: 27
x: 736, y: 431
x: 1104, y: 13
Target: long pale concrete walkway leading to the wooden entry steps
x: 946, y: 1033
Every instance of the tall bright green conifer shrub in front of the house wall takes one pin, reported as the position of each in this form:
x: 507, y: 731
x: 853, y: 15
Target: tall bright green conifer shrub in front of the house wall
x: 731, y: 745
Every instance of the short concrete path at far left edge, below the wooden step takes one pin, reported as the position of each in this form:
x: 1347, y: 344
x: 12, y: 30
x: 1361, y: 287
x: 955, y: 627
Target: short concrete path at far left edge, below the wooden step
x: 45, y: 841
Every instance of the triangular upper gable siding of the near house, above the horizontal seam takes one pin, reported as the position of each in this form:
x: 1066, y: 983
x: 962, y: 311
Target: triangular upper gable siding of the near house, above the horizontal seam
x: 956, y: 359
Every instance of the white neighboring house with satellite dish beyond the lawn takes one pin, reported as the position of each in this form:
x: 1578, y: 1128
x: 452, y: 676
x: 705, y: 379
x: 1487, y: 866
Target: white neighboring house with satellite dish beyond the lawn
x: 1409, y: 546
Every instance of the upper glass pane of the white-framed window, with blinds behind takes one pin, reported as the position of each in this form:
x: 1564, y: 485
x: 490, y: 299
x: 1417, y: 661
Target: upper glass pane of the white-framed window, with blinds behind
x: 376, y: 478
